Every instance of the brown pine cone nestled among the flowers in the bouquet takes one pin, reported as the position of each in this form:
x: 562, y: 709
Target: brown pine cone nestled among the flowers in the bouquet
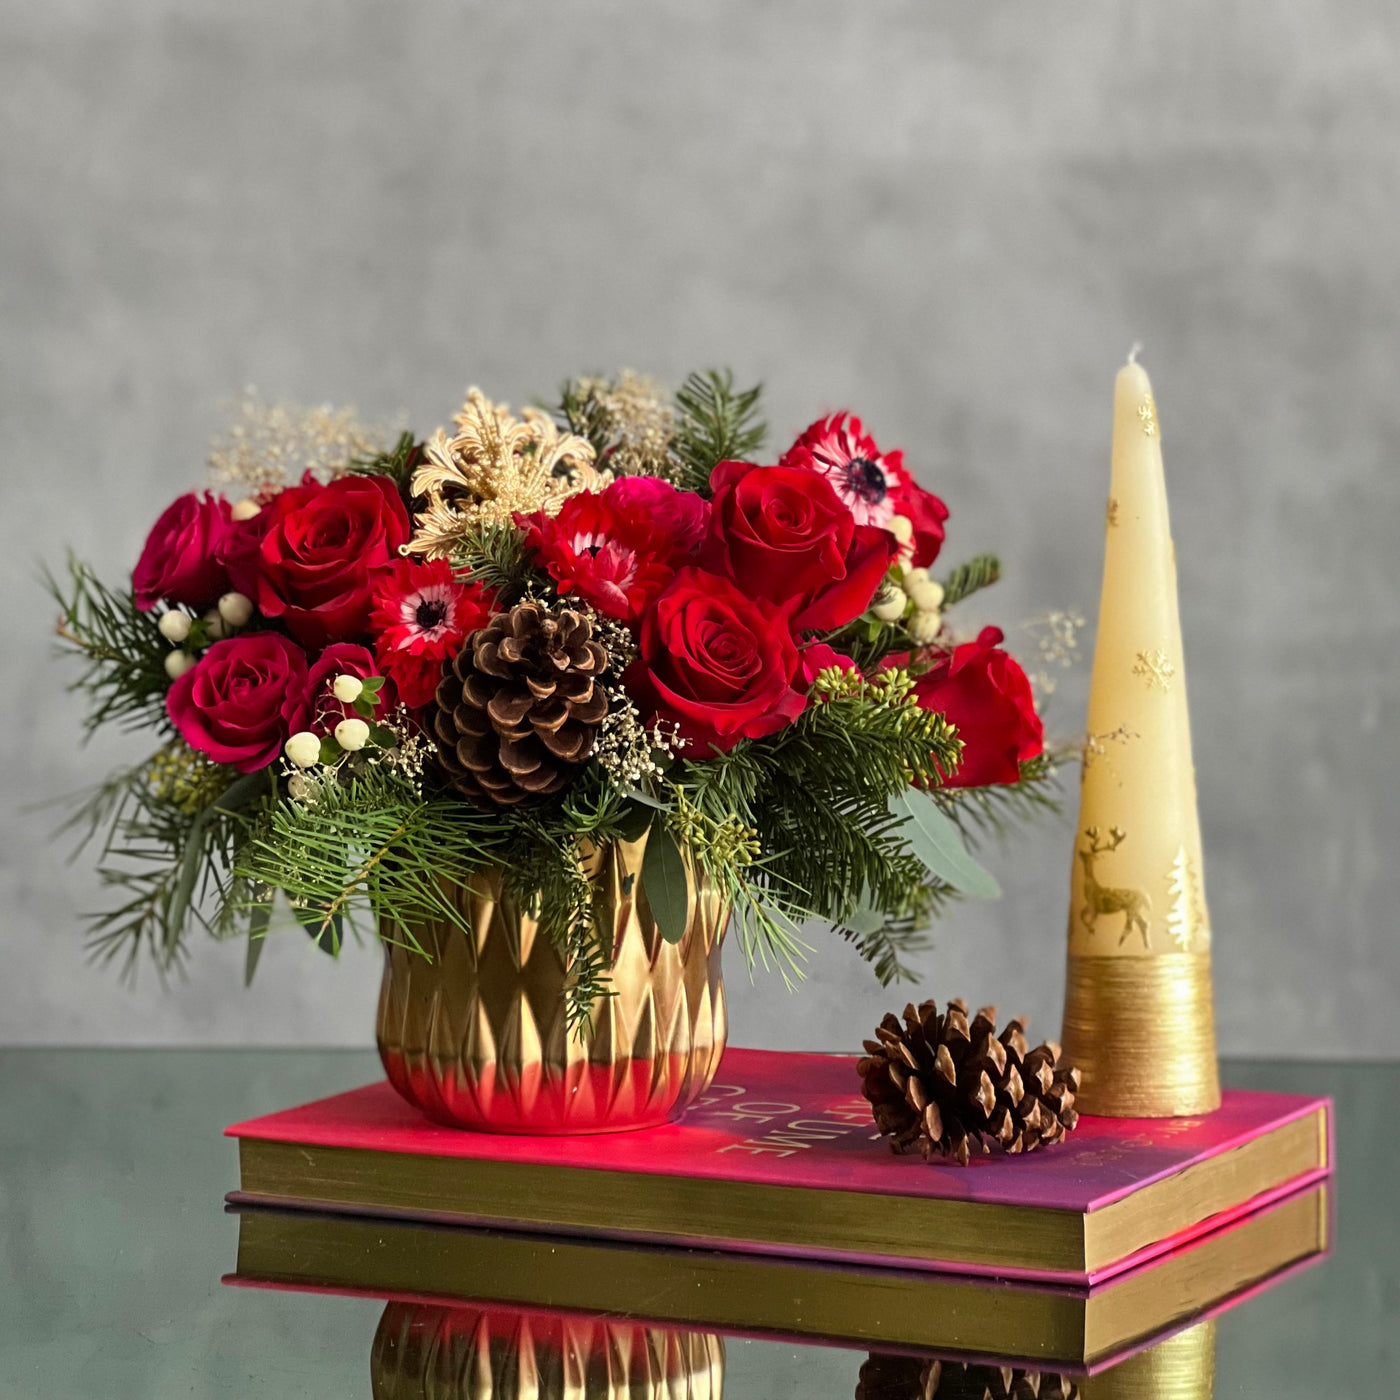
x: 519, y: 709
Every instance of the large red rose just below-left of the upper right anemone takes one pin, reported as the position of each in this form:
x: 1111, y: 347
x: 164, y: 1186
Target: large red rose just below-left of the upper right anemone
x: 785, y: 535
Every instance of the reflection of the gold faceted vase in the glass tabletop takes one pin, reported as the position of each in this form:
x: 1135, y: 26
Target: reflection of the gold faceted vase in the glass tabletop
x: 435, y: 1353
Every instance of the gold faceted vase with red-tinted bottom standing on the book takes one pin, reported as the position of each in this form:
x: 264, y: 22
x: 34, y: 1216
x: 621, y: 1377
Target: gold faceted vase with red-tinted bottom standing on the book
x: 477, y: 1035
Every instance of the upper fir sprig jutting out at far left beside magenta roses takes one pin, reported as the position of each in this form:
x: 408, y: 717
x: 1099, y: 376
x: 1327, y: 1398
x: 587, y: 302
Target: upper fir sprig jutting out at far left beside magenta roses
x: 124, y: 653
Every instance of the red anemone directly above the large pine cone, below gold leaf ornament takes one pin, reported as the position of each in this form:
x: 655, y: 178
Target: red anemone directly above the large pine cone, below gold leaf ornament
x: 611, y: 555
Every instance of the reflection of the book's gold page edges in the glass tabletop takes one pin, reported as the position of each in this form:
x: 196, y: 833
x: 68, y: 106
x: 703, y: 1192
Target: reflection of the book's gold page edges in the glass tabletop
x: 757, y: 1294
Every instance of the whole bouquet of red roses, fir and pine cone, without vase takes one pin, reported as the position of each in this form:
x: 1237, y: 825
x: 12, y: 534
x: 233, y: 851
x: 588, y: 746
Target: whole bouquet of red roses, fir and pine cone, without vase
x: 377, y: 668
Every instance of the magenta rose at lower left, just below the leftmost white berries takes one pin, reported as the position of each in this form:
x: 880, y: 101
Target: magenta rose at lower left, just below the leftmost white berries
x: 241, y: 701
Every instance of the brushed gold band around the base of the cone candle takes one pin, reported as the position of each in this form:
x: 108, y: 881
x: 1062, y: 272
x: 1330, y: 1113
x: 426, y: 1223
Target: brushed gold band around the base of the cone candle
x: 1142, y: 1032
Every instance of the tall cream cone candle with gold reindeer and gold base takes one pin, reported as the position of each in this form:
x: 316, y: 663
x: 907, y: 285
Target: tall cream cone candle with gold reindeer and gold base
x: 1139, y: 1018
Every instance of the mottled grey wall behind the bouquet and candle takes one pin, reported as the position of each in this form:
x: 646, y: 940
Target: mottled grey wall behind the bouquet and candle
x: 953, y: 218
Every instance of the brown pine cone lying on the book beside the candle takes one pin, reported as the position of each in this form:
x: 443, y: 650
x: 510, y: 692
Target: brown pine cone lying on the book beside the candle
x: 950, y: 1086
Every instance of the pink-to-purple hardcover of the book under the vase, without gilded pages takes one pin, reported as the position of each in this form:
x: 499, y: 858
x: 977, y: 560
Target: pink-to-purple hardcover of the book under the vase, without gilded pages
x: 797, y: 1121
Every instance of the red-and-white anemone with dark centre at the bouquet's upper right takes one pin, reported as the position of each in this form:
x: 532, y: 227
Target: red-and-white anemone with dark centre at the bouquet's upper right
x: 876, y: 485
